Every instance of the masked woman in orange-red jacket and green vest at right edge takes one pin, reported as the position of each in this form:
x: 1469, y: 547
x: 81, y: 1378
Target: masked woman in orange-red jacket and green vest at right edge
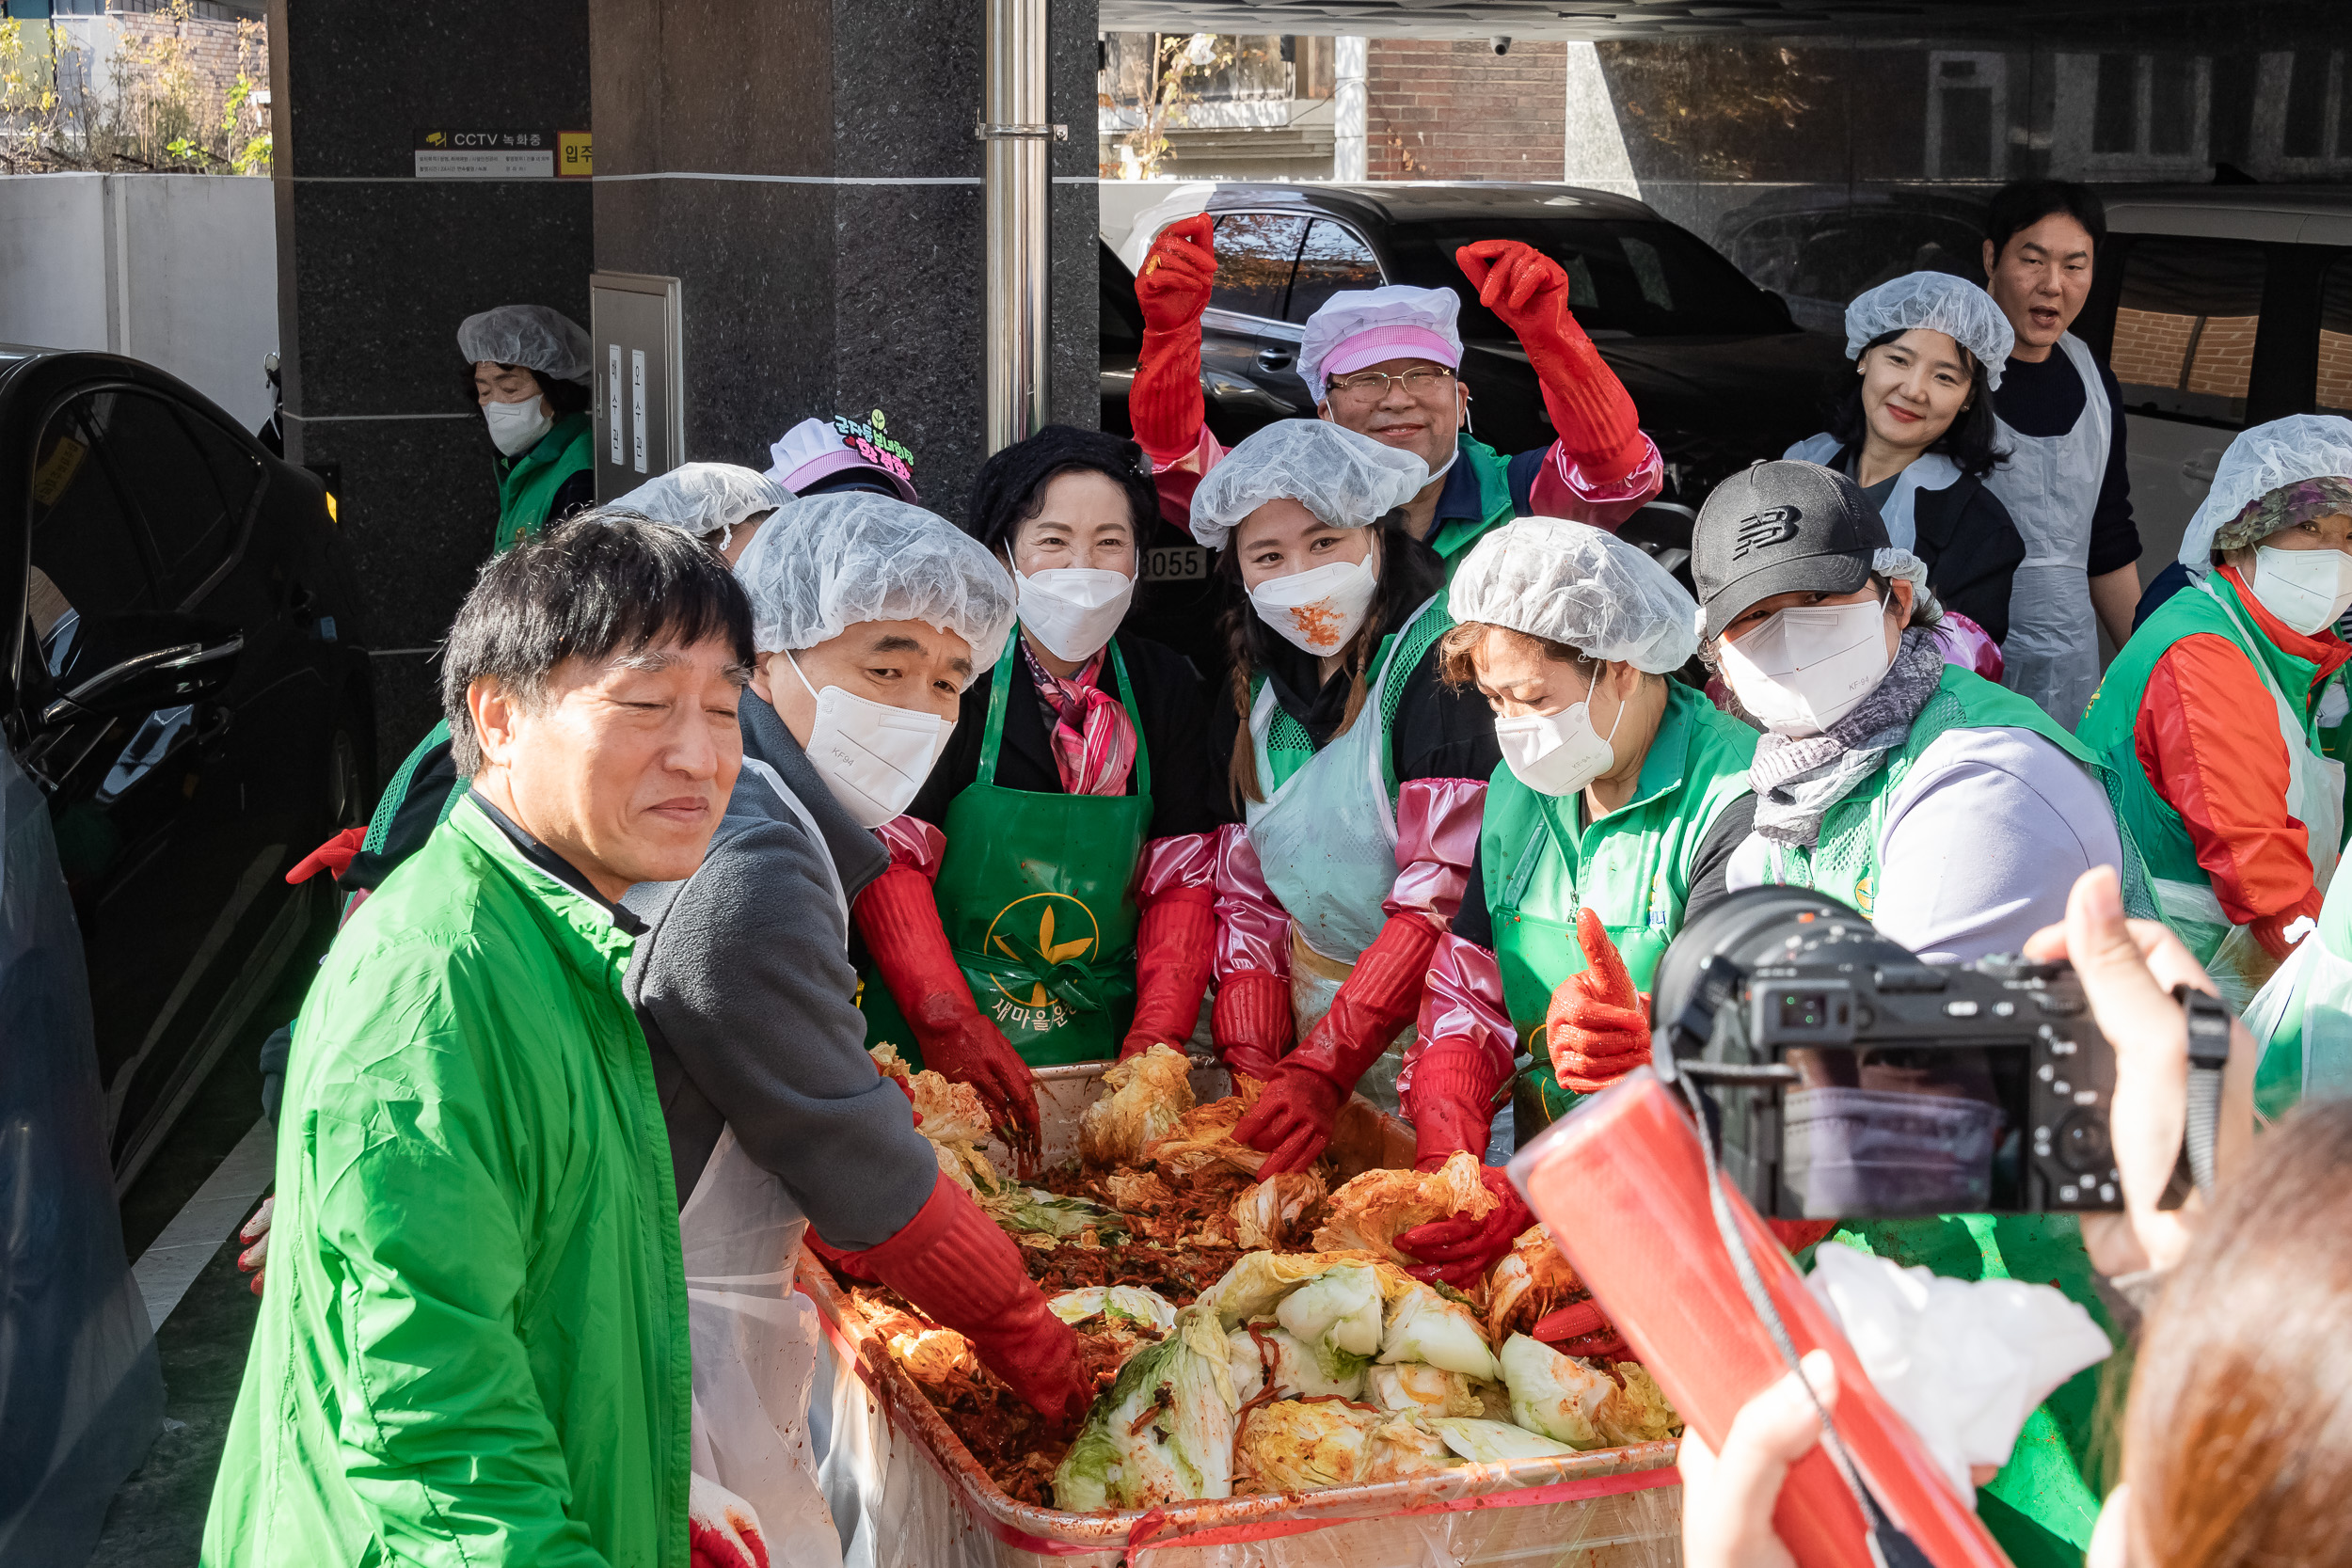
x: 2224, y: 711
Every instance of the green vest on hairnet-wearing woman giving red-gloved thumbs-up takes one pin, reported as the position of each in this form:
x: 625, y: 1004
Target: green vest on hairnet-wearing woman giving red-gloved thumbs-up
x: 1544, y: 862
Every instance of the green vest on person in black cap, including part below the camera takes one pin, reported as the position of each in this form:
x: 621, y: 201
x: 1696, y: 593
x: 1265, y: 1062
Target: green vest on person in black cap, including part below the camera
x: 2040, y: 1508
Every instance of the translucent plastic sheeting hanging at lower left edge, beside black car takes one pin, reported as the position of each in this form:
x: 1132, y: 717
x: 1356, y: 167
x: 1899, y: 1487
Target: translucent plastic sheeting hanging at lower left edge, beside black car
x: 81, y: 1393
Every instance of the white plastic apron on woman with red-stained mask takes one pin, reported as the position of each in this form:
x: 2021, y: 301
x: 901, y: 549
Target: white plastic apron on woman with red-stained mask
x: 1328, y: 847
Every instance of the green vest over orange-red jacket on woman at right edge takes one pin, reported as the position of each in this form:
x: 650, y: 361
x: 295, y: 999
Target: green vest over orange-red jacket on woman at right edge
x: 2184, y: 890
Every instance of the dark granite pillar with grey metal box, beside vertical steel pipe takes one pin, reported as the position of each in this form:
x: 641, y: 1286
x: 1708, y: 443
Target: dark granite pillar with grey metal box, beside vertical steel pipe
x: 808, y: 170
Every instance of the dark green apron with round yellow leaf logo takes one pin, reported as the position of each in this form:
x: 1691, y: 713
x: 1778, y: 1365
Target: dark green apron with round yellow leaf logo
x: 1036, y: 894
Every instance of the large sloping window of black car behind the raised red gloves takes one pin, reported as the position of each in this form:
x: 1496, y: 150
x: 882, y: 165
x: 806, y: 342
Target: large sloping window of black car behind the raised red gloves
x: 1633, y: 279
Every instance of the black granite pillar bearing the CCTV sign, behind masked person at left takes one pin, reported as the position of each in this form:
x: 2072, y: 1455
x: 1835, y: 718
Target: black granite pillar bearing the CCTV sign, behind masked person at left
x: 377, y: 267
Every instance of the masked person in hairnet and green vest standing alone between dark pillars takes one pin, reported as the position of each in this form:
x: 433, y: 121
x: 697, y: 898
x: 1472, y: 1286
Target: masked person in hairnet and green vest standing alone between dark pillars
x: 528, y: 368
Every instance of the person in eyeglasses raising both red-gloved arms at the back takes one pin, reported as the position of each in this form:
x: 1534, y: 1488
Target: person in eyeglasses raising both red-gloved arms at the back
x: 1387, y: 363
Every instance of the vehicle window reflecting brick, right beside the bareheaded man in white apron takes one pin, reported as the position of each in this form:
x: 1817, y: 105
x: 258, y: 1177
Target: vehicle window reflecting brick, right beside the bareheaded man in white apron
x: 2186, y: 323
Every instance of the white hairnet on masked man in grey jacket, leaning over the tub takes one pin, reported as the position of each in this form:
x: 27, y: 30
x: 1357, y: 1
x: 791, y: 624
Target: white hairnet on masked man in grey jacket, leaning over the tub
x: 855, y: 558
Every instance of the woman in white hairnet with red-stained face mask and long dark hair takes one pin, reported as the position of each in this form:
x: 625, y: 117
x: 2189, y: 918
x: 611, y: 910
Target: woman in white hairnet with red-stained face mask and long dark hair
x: 1356, y: 770
